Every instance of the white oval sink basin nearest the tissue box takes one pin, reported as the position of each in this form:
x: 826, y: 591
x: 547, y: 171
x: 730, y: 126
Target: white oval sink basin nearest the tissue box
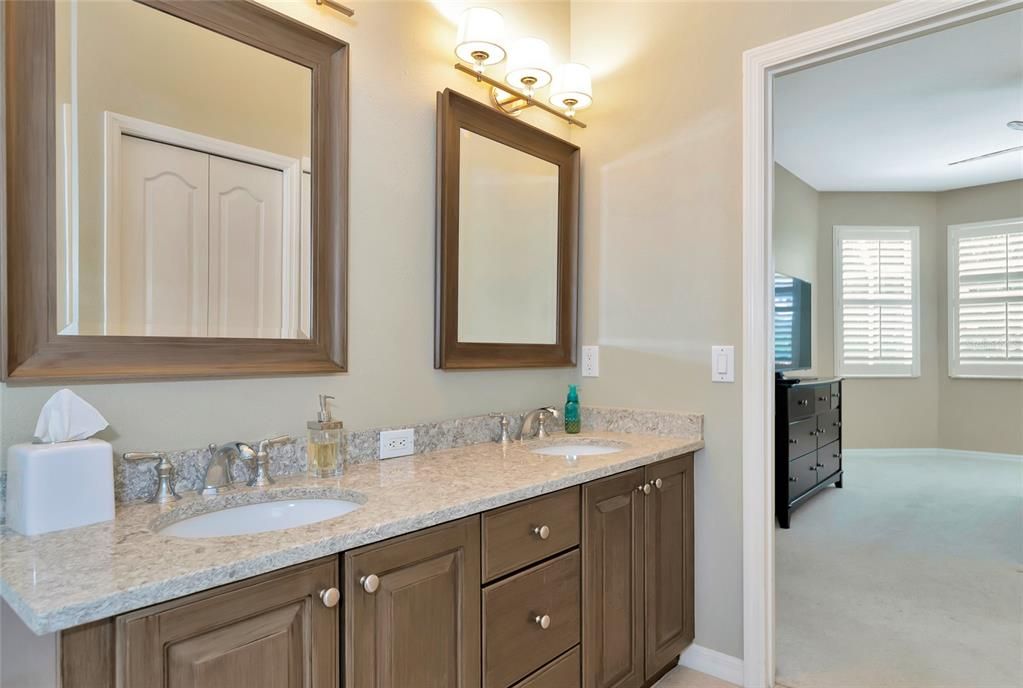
x: 259, y: 518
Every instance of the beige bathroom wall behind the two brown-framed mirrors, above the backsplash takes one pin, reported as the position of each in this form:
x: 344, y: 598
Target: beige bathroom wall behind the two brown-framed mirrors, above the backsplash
x: 402, y: 57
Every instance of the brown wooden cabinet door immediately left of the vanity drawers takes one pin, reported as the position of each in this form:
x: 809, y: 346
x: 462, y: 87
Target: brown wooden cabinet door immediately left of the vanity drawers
x: 417, y: 622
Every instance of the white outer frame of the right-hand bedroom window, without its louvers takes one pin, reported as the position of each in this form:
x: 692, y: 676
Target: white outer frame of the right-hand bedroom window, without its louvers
x: 957, y: 370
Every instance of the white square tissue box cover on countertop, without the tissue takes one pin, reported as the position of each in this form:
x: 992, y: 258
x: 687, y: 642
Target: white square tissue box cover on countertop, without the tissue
x: 60, y: 486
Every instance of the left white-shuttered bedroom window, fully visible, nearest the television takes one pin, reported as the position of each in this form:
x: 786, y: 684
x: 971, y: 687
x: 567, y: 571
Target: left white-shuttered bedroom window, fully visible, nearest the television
x: 877, y: 302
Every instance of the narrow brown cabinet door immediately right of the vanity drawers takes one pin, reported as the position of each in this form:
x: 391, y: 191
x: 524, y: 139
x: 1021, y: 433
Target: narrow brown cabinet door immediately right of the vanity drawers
x: 613, y: 582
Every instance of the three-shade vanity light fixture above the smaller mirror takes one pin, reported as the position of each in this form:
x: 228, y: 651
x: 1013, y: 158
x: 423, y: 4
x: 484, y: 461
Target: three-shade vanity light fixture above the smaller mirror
x: 480, y: 33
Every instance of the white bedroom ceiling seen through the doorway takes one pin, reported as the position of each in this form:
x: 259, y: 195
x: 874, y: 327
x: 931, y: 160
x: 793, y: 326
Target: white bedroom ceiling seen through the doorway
x: 894, y: 119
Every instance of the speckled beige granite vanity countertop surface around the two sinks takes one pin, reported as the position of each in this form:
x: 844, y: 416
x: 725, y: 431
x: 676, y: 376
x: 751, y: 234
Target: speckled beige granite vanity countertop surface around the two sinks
x: 60, y: 580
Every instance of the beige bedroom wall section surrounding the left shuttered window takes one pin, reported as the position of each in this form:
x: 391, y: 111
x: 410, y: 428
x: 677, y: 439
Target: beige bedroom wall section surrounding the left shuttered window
x: 885, y: 412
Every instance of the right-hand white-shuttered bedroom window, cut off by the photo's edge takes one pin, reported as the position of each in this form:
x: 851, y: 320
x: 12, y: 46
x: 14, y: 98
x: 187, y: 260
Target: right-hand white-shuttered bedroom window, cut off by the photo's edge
x: 986, y: 300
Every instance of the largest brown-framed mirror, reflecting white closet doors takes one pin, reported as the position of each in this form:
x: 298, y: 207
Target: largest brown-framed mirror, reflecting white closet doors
x: 176, y: 192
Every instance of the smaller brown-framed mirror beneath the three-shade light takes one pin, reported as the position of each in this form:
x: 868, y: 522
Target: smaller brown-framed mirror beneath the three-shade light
x: 507, y: 241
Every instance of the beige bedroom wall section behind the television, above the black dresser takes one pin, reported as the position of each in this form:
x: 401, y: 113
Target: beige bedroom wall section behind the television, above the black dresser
x: 795, y: 238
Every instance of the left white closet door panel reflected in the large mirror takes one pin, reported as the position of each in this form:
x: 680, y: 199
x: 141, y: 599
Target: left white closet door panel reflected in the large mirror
x: 158, y: 273
